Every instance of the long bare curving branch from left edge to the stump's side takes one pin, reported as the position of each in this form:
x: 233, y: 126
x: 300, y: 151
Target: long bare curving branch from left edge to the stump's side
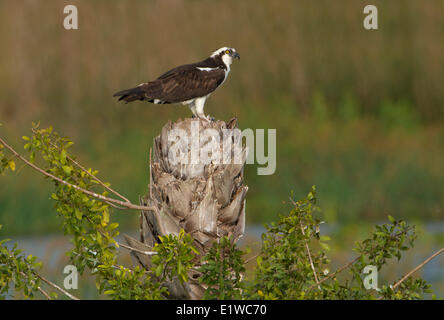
x: 128, y: 205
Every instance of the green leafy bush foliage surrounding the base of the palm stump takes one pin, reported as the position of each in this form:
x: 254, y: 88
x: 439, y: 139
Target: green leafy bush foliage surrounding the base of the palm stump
x: 292, y: 264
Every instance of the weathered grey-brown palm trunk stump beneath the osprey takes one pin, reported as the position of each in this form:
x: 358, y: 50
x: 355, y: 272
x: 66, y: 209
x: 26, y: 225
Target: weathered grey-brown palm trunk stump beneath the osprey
x: 205, y: 198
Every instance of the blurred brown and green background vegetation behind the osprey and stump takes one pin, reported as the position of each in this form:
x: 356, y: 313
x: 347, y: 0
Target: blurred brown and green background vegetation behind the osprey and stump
x: 358, y: 113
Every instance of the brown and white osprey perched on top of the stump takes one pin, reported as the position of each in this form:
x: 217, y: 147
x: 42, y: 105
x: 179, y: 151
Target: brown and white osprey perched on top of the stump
x: 189, y: 84
